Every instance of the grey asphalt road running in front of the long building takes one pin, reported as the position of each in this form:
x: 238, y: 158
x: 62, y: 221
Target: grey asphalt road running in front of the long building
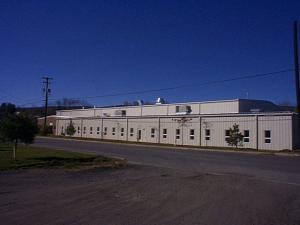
x: 277, y: 168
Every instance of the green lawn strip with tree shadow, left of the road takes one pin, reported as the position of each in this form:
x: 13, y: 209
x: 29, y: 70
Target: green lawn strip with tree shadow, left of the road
x: 29, y: 157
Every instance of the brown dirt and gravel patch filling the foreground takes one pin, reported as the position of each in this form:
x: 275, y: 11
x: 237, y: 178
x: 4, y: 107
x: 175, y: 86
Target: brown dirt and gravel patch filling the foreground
x: 144, y: 195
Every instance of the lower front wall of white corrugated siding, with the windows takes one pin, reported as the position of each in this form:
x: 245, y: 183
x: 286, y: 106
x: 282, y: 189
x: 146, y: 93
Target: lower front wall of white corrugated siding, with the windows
x: 280, y: 126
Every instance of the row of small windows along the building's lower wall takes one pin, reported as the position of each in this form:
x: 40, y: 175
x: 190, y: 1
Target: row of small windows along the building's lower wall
x: 246, y: 133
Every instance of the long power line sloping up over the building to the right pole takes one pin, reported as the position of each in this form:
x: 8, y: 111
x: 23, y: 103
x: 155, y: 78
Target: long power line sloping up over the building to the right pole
x: 187, y: 86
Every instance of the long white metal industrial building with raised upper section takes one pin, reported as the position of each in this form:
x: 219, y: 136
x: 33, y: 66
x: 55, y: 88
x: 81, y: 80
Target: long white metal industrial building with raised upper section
x: 263, y: 124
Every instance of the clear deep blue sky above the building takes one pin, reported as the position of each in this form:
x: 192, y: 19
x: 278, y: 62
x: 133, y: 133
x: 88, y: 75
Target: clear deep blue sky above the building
x: 100, y: 50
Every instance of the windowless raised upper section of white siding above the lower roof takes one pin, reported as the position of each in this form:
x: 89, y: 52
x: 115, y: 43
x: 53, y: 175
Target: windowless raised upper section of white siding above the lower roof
x: 211, y: 107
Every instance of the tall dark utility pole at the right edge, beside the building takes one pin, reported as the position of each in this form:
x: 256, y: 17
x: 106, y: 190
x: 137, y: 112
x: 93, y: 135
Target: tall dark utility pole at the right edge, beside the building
x: 297, y: 72
